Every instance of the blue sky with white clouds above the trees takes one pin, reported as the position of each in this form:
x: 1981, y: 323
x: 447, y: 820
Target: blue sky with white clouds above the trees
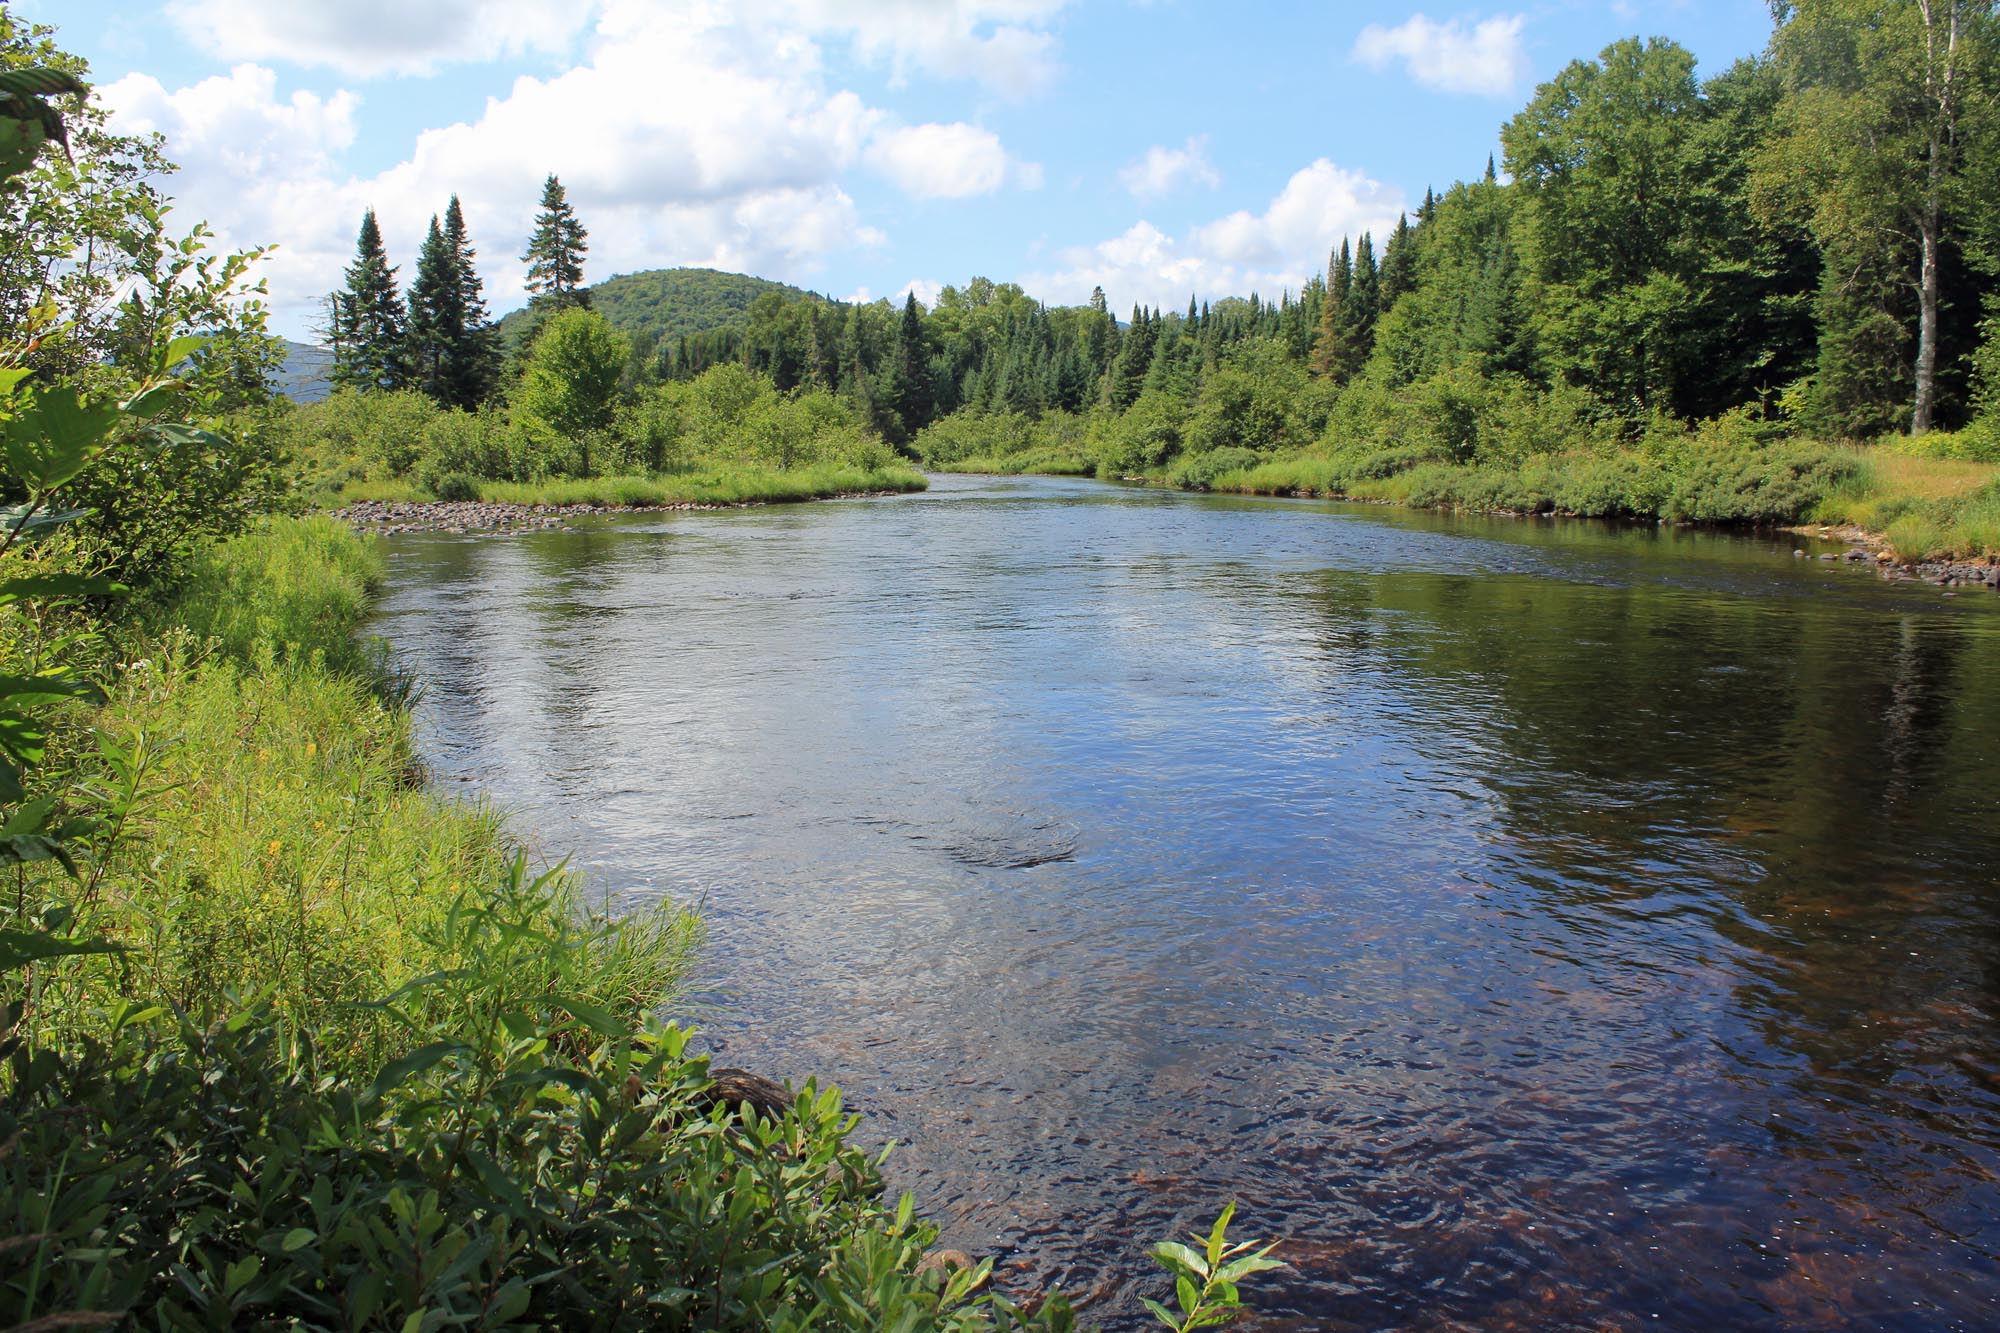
x: 865, y: 149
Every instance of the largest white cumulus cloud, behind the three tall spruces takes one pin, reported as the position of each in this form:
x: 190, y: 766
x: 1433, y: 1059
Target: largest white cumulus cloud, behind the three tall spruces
x: 689, y: 135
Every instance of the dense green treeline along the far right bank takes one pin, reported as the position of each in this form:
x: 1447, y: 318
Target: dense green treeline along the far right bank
x: 1657, y: 247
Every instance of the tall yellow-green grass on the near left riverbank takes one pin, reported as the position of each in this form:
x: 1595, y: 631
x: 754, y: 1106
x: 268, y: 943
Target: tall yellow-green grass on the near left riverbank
x: 281, y: 842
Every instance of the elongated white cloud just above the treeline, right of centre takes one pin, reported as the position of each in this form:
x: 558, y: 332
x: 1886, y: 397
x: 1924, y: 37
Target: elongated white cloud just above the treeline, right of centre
x: 1241, y: 253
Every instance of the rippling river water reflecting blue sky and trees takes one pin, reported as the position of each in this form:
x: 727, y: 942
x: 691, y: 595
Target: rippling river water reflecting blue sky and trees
x: 1529, y: 924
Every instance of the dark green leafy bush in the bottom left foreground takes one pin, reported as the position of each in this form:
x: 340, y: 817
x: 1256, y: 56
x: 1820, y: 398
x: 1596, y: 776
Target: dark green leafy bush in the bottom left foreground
x: 535, y: 1160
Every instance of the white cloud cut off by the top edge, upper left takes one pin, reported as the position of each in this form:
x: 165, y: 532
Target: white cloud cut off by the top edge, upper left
x: 379, y: 37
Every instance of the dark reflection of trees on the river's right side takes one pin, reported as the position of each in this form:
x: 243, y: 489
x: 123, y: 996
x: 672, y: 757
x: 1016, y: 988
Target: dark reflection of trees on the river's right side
x: 1803, y: 788
